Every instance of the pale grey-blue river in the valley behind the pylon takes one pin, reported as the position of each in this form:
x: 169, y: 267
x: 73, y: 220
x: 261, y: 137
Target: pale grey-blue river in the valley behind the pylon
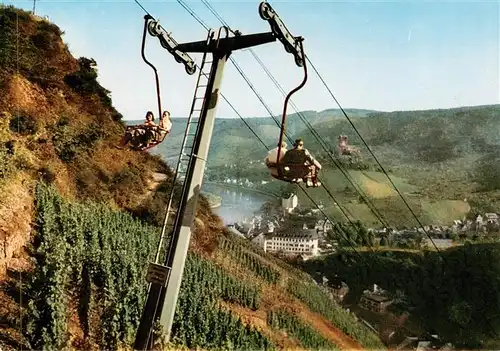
x: 237, y: 203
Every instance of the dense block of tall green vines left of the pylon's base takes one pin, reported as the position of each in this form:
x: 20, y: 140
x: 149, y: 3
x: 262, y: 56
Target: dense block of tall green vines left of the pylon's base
x: 91, y: 252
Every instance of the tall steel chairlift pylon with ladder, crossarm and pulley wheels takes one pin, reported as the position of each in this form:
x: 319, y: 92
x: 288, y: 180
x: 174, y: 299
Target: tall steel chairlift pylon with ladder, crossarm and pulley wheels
x: 165, y: 274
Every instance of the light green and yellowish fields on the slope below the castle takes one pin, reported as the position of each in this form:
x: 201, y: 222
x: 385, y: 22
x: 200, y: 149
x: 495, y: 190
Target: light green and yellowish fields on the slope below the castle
x: 385, y: 199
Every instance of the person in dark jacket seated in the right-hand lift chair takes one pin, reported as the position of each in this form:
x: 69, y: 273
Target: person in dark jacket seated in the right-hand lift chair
x: 299, y: 164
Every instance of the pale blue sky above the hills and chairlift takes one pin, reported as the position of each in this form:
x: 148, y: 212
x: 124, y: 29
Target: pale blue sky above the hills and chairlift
x: 380, y: 55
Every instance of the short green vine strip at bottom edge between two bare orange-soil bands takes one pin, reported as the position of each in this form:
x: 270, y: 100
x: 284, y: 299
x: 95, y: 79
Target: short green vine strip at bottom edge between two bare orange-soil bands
x: 285, y: 320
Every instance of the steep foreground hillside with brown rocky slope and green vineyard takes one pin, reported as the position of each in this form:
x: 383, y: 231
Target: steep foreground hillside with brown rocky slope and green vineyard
x: 80, y: 220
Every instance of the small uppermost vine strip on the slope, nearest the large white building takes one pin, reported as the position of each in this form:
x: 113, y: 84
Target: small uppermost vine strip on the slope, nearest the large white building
x: 250, y: 261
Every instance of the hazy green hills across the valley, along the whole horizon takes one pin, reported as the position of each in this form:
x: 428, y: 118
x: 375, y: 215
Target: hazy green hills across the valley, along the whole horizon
x: 438, y: 157
